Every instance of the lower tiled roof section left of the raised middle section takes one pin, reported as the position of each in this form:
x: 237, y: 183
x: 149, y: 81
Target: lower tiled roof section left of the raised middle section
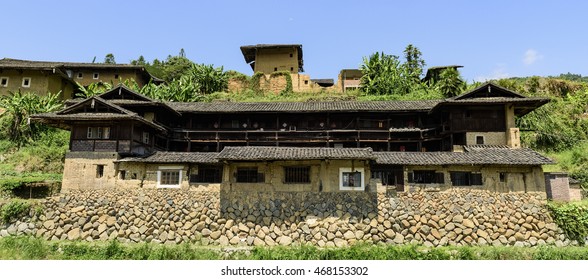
x: 172, y: 157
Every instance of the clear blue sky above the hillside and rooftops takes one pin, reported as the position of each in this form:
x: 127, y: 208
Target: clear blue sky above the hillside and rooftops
x: 491, y: 39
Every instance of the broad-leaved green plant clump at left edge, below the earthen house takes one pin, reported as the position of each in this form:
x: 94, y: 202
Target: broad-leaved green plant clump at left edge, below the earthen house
x: 18, y: 108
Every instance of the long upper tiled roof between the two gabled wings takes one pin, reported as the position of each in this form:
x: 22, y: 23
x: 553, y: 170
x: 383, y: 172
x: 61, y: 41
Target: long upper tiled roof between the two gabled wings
x: 334, y: 106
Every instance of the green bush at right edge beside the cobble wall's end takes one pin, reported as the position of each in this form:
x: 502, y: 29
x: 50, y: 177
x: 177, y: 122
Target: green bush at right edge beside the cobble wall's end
x: 572, y: 218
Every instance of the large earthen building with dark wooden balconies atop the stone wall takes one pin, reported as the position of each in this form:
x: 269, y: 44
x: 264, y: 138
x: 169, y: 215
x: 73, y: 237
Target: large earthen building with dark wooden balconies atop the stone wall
x: 121, y: 139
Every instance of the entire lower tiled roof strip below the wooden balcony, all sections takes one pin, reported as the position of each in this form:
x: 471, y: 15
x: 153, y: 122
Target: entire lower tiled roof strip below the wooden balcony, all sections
x: 491, y: 156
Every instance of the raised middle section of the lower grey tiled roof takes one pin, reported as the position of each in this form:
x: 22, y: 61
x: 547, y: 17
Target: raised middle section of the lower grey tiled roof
x: 293, y: 153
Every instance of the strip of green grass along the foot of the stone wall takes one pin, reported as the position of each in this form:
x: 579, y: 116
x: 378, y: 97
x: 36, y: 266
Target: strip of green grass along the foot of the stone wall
x: 30, y: 248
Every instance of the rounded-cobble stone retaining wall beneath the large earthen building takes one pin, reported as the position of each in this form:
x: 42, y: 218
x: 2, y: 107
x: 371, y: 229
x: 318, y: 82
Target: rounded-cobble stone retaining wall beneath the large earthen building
x: 453, y: 217
